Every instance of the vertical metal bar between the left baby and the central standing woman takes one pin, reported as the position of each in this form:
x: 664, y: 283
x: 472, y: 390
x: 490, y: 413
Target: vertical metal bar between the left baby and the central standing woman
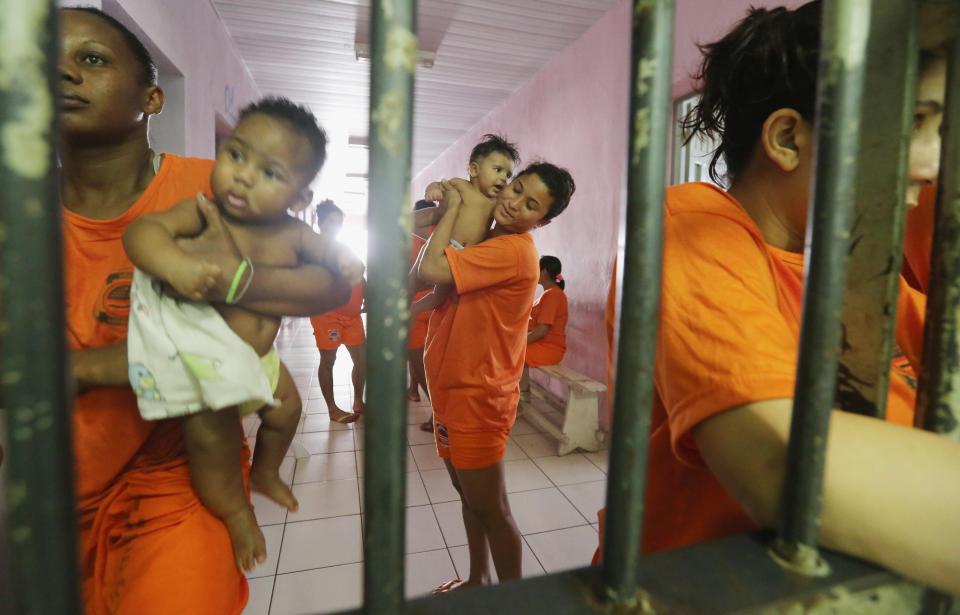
x: 393, y: 62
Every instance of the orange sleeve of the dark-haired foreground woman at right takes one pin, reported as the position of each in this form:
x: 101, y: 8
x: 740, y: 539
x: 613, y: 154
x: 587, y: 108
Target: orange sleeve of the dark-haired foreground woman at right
x: 723, y: 341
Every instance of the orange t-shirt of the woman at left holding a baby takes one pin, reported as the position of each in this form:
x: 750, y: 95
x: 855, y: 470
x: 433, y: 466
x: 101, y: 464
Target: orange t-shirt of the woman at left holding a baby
x: 107, y: 428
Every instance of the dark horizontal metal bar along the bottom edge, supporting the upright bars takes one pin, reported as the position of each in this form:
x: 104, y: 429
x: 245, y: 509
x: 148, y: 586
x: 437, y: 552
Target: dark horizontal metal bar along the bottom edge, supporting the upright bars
x: 731, y: 575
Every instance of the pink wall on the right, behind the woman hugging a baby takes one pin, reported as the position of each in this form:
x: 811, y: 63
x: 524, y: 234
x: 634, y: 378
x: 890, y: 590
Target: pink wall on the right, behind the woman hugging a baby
x: 574, y: 113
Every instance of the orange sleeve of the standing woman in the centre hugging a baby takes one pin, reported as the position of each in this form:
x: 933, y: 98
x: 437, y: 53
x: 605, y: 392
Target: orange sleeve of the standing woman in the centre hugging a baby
x: 490, y: 263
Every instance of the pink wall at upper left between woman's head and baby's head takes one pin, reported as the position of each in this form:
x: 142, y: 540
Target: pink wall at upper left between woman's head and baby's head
x: 190, y: 39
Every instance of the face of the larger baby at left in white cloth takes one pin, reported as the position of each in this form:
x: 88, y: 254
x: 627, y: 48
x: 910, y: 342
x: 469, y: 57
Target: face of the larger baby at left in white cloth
x: 262, y: 170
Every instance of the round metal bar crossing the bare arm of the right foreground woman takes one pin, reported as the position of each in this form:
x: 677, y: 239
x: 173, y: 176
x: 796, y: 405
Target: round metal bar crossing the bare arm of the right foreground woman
x: 839, y: 101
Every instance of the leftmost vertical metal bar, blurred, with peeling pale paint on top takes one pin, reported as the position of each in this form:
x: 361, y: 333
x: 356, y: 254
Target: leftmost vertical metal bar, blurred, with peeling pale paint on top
x: 39, y: 488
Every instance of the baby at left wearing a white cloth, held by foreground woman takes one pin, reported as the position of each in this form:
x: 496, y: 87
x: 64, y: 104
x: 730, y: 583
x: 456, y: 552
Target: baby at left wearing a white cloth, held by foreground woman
x: 208, y: 363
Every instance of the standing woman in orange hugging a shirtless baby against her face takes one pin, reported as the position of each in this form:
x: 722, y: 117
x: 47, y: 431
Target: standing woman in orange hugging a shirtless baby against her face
x: 474, y: 355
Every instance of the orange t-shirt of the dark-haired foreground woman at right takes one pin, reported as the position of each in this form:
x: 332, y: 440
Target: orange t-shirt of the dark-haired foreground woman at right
x: 729, y: 334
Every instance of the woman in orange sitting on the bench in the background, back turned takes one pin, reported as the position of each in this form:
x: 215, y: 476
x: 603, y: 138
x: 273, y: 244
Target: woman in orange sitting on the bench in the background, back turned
x: 547, y: 330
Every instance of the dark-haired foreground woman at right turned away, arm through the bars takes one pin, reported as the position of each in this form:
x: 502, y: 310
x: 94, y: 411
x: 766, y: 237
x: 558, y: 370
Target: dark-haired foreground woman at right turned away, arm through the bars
x: 730, y: 319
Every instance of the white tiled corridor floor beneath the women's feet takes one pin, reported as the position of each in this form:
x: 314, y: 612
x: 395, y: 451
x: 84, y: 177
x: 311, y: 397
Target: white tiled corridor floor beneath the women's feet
x: 315, y: 555
